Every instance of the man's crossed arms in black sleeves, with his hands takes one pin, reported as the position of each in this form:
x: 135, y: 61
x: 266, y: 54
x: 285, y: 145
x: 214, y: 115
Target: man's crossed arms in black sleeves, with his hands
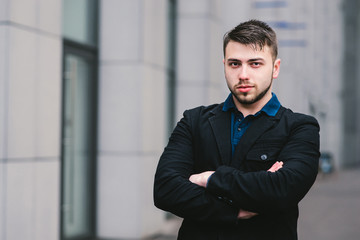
x: 230, y: 191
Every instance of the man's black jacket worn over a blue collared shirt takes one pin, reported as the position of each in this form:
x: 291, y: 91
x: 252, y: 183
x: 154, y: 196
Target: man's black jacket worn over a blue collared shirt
x: 201, y: 142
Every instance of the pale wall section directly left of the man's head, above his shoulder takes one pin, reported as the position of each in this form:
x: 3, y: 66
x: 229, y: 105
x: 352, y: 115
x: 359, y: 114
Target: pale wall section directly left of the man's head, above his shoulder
x: 199, y: 70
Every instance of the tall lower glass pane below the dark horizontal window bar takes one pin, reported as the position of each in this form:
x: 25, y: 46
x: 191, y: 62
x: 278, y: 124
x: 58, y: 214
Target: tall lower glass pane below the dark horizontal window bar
x: 79, y: 144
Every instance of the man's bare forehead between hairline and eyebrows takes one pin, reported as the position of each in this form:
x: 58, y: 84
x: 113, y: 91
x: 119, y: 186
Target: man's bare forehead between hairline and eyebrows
x: 236, y: 50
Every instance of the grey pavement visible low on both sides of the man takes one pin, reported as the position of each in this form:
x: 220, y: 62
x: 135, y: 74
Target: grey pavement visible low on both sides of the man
x: 330, y: 211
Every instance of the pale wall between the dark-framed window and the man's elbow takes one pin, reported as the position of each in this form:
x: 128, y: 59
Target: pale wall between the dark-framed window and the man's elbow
x: 132, y: 115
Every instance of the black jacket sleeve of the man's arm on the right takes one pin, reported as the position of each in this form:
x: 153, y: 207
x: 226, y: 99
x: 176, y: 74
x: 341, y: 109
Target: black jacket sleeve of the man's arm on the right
x: 264, y: 191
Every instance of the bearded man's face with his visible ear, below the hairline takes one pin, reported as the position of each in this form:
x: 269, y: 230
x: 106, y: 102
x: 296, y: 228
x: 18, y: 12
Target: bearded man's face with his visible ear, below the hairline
x: 249, y: 73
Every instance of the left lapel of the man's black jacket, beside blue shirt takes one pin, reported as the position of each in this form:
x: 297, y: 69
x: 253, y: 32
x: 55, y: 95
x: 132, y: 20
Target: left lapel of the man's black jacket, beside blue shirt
x: 221, y: 126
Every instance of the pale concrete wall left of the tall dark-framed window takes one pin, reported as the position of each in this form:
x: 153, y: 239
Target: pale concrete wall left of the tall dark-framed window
x: 30, y: 87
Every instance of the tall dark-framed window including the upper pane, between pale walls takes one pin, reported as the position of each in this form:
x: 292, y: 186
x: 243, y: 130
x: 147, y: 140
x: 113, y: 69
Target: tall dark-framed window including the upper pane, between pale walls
x: 80, y: 64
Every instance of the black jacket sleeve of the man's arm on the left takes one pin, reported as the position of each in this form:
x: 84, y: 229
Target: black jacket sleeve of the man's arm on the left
x: 174, y: 192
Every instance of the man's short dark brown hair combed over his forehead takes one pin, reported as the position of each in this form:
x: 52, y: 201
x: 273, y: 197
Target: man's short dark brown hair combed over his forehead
x: 253, y: 32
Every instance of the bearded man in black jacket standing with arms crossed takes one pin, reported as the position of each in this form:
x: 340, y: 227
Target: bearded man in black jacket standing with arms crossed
x: 237, y: 170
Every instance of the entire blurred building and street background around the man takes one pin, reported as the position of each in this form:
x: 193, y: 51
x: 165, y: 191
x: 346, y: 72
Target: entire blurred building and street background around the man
x: 90, y: 91
